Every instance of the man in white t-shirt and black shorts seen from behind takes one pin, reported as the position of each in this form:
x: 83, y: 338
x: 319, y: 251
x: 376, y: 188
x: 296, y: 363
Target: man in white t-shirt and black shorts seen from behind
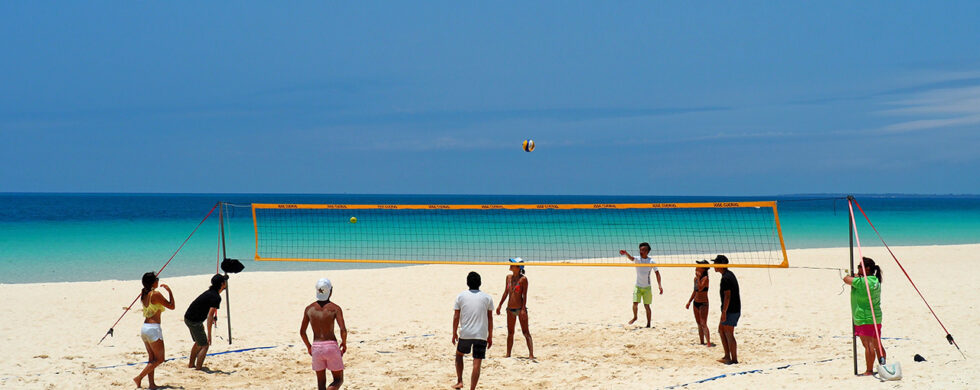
x: 475, y: 309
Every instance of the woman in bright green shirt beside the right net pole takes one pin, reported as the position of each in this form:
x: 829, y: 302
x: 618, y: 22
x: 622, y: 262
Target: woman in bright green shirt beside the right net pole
x: 867, y: 315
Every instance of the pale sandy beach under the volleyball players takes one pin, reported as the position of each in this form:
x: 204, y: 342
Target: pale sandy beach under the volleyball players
x: 794, y: 330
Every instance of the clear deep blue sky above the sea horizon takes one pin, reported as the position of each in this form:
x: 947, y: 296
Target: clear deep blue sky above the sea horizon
x: 742, y: 98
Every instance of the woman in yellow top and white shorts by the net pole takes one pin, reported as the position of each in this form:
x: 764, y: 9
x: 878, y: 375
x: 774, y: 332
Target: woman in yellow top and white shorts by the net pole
x: 151, y: 333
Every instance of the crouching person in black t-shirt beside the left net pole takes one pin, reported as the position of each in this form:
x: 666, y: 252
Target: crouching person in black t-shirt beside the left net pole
x: 205, y: 307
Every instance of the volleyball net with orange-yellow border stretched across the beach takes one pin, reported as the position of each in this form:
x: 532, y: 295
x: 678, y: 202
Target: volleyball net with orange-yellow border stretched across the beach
x: 679, y: 234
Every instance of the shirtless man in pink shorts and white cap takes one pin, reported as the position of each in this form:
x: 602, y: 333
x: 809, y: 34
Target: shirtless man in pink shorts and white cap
x: 324, y: 350
